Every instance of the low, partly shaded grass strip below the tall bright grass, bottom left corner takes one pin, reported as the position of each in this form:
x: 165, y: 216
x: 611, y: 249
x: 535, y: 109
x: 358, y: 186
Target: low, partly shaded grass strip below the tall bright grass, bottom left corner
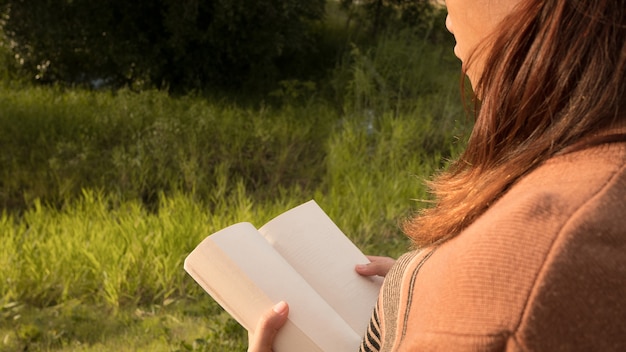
x: 178, y: 325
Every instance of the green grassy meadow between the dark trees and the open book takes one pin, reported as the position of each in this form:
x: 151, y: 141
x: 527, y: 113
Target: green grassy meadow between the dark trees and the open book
x: 105, y: 192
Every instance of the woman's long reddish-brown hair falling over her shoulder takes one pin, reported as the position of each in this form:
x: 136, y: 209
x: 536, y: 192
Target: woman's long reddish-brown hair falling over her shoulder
x: 555, y: 75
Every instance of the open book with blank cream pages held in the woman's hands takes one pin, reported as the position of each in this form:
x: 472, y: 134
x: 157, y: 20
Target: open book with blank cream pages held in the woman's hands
x: 300, y: 257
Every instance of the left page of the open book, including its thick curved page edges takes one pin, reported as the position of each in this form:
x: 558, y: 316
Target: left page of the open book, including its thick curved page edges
x: 246, y: 276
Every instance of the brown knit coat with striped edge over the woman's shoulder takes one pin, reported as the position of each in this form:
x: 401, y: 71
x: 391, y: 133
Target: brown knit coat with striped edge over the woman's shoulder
x: 544, y: 269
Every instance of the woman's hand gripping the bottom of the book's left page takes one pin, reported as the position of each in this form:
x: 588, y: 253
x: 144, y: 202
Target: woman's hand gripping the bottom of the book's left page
x: 267, y: 327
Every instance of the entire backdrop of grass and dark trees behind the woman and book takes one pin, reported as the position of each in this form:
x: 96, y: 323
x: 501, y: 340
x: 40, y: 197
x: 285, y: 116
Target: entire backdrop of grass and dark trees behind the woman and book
x: 104, y: 191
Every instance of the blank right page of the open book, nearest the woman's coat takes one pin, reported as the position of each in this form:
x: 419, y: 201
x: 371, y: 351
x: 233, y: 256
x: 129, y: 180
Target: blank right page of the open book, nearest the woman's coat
x: 317, y: 249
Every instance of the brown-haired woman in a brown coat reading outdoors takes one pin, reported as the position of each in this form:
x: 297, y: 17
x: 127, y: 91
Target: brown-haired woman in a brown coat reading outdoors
x: 525, y: 247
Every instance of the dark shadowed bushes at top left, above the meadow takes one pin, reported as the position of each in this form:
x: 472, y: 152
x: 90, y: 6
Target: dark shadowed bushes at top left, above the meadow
x: 171, y: 43
